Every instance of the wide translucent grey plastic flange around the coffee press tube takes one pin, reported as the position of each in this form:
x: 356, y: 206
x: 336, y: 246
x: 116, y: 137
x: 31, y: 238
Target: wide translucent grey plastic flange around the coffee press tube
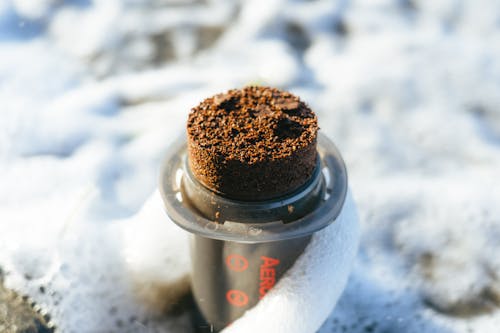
x: 333, y: 175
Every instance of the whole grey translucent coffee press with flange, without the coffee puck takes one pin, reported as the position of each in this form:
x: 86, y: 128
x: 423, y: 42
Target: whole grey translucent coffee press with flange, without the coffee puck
x: 240, y: 250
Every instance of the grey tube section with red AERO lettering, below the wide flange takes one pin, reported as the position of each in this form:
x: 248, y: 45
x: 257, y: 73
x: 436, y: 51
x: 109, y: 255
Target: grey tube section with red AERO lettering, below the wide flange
x: 230, y: 278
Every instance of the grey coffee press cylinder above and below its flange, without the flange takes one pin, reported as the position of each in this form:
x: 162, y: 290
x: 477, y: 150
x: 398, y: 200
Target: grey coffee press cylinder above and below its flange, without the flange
x: 230, y: 277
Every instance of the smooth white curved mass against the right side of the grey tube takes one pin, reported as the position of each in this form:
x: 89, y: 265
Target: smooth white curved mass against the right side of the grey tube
x: 302, y: 300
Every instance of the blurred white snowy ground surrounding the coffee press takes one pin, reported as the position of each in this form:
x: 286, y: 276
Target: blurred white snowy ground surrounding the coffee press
x: 93, y: 92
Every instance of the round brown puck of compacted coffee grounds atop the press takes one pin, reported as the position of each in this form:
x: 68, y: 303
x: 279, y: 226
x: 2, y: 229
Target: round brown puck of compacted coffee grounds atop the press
x: 252, y: 144
